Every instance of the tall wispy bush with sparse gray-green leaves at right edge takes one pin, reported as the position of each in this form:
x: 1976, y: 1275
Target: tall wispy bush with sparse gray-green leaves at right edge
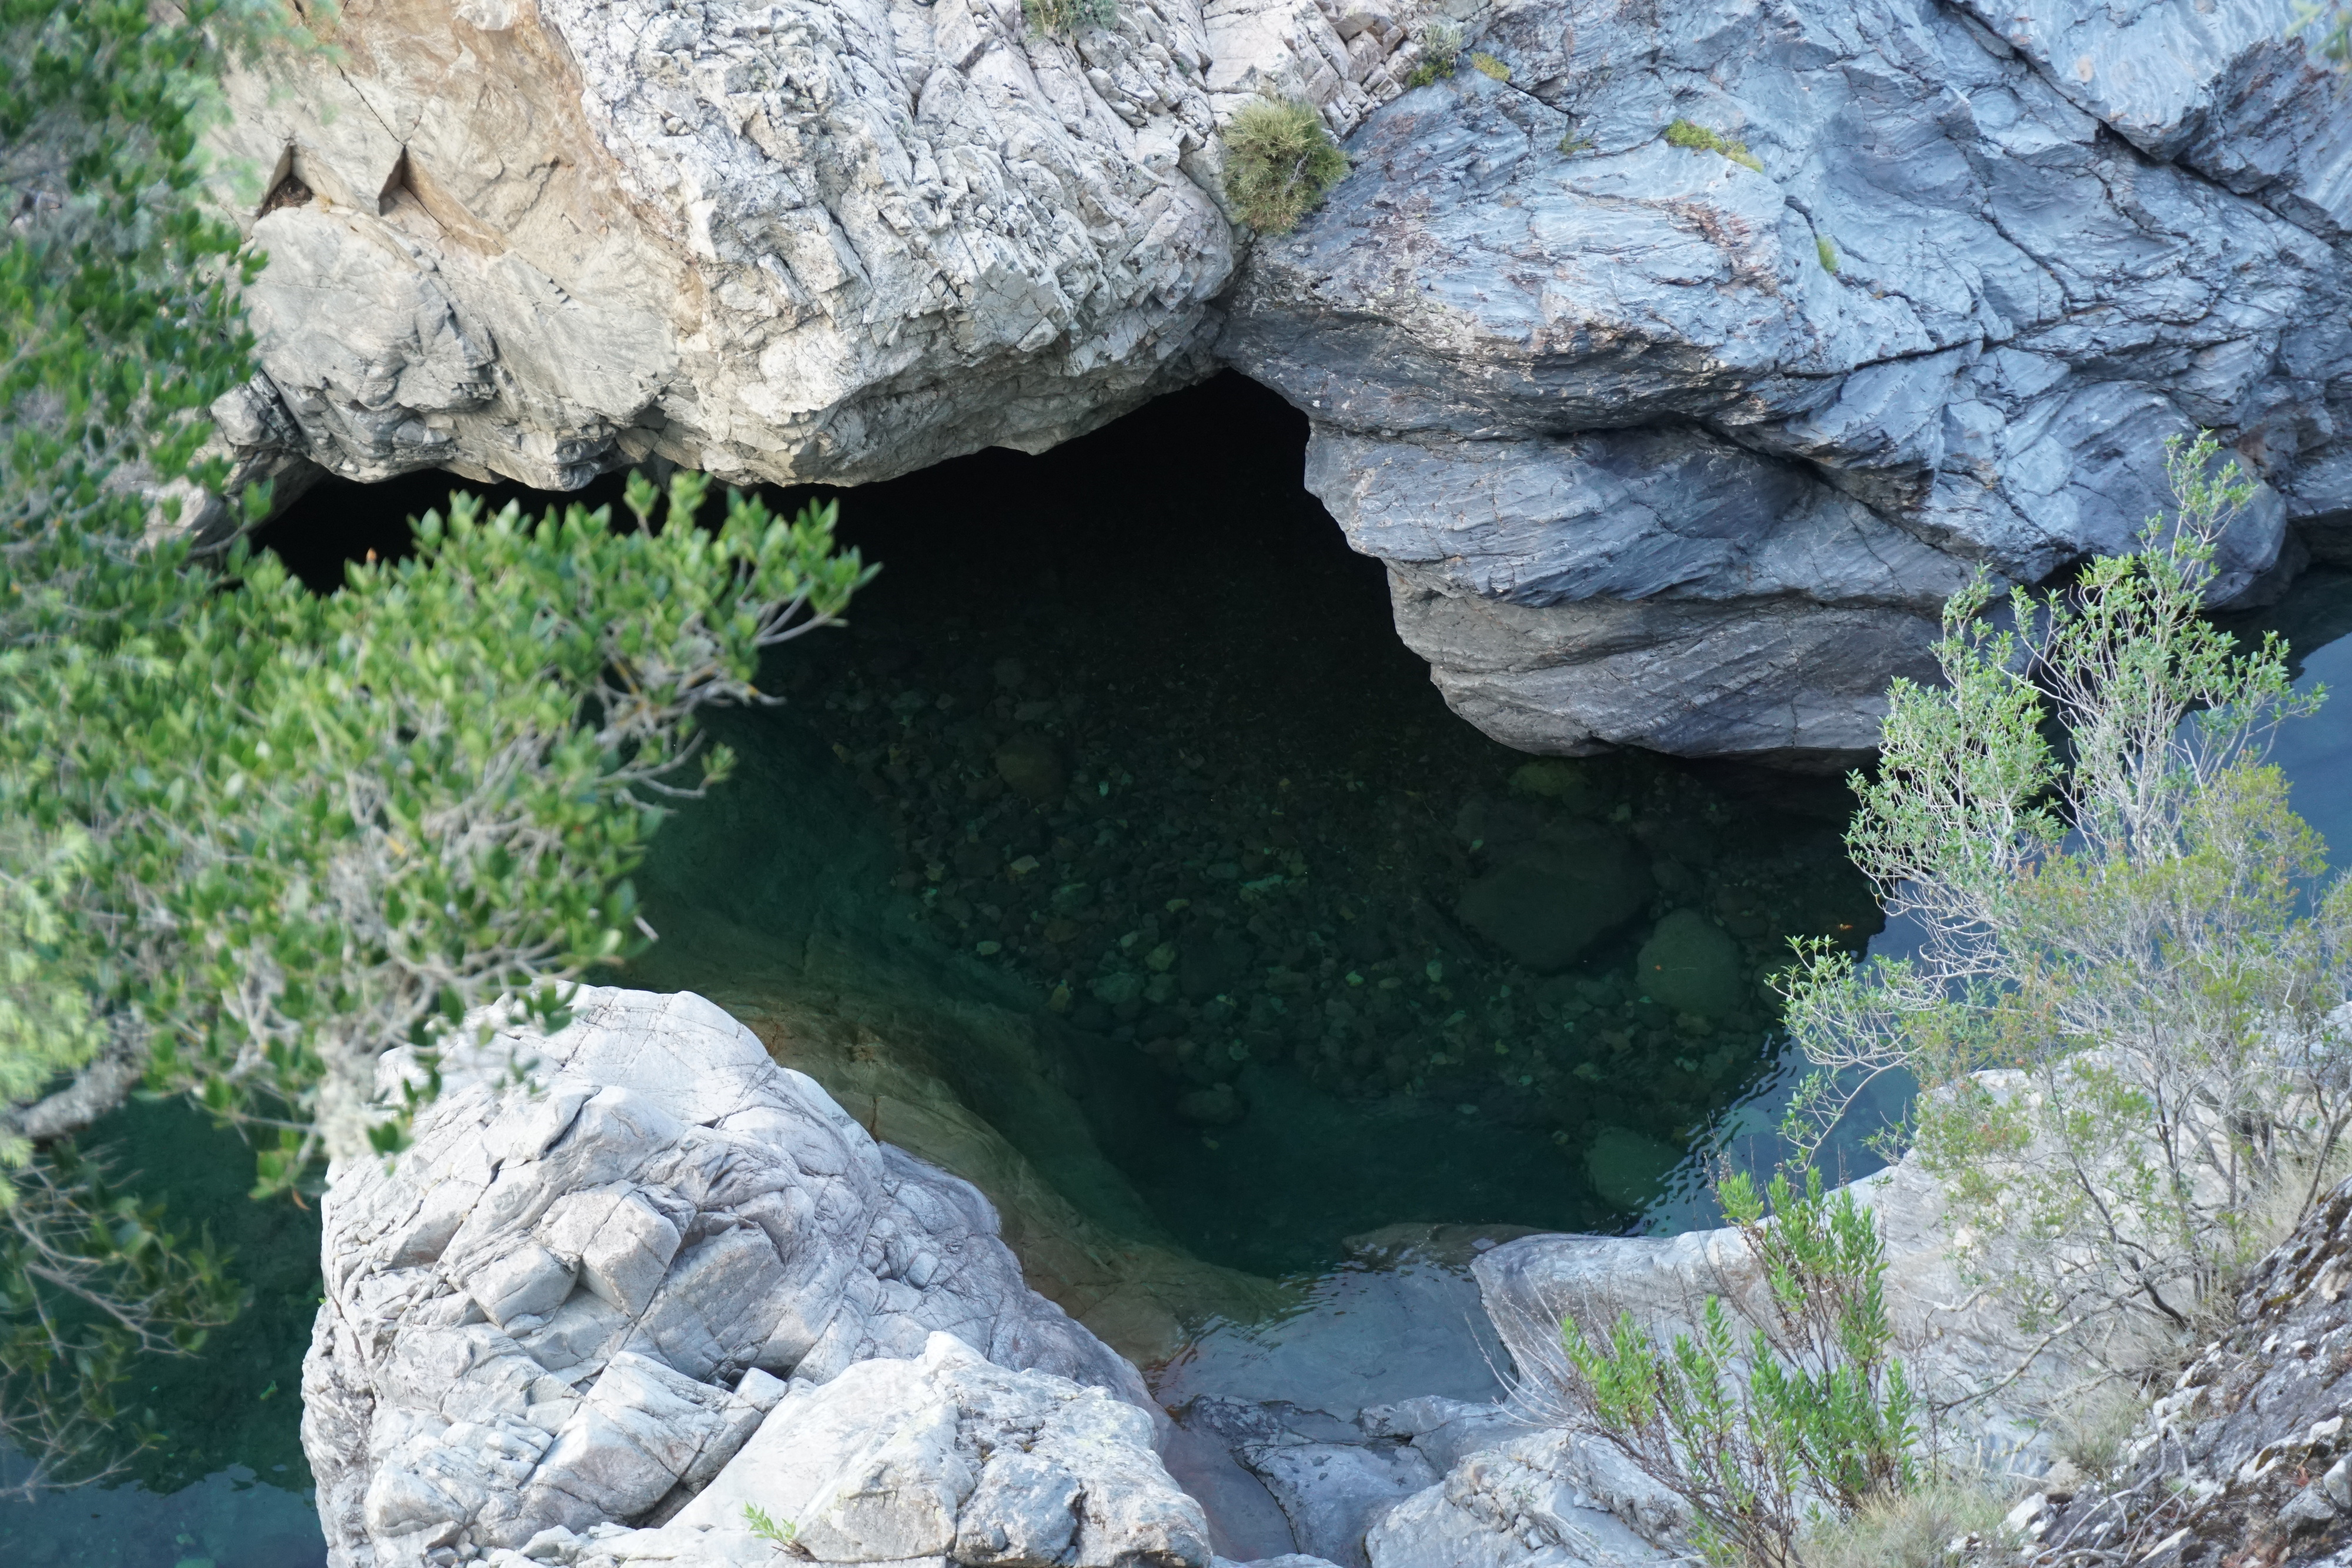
x: 2123, y: 920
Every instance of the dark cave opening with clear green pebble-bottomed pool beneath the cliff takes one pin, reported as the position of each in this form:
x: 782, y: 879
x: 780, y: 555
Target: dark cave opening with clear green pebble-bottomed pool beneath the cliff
x: 1123, y: 742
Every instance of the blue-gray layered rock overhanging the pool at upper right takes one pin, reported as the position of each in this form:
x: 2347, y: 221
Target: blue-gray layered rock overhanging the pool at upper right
x: 1685, y: 448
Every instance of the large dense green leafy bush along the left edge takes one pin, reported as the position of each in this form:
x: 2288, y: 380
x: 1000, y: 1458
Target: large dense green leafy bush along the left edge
x: 250, y: 836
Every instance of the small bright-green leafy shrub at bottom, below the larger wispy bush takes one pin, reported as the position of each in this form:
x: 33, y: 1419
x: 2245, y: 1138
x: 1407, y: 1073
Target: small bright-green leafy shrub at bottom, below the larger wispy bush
x: 1758, y: 1435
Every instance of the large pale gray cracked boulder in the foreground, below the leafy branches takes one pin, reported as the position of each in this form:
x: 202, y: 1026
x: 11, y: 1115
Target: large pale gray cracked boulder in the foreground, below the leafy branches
x: 587, y: 1299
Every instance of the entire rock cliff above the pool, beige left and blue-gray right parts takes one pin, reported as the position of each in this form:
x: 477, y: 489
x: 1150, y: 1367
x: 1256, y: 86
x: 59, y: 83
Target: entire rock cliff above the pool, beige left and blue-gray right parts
x: 1681, y: 361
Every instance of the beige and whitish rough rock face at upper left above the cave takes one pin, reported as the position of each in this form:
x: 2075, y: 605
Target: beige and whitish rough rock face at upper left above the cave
x: 808, y: 241
